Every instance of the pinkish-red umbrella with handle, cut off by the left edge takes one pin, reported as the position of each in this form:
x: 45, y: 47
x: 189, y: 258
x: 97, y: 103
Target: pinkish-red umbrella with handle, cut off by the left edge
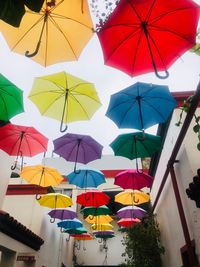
x: 17, y: 140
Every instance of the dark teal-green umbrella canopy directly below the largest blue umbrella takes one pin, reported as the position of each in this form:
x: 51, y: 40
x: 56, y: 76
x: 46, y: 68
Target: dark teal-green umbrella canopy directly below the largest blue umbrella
x: 136, y: 145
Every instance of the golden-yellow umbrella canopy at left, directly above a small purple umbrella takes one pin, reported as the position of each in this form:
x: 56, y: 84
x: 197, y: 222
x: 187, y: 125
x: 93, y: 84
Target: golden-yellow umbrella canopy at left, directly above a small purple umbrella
x: 55, y: 200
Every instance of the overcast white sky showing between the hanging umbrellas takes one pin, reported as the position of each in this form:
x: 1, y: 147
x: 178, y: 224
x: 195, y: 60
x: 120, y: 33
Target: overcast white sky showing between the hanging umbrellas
x: 184, y: 76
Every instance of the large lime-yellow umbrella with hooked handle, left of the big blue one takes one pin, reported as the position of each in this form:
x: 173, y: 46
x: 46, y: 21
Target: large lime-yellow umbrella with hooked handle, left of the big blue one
x: 64, y: 97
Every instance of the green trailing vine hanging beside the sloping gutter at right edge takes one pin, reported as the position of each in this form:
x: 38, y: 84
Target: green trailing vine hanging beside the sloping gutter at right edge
x: 196, y: 128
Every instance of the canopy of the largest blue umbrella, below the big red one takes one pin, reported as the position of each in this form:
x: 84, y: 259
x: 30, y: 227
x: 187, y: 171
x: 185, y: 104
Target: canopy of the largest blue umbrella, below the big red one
x: 141, y: 105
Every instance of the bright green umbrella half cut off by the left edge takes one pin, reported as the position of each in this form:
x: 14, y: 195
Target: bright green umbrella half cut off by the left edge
x: 11, y: 99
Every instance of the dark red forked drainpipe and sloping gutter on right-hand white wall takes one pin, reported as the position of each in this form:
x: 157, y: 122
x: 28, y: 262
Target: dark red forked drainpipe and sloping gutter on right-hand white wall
x: 170, y: 169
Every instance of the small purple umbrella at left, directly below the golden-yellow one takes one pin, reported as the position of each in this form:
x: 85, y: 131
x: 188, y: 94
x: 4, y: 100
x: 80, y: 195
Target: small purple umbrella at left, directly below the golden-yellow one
x: 62, y: 214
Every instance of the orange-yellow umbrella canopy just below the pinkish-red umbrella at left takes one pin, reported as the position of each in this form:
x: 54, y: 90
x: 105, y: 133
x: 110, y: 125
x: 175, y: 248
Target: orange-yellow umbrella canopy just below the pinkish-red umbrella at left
x: 41, y: 175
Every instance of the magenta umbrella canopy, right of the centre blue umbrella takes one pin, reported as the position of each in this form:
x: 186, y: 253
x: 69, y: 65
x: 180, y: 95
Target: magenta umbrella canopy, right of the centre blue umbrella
x: 132, y: 179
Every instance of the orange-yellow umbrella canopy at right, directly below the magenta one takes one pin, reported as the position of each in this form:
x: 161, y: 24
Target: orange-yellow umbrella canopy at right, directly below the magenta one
x: 132, y: 197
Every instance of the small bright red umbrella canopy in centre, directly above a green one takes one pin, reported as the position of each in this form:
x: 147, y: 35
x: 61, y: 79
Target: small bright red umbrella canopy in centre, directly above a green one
x: 93, y: 198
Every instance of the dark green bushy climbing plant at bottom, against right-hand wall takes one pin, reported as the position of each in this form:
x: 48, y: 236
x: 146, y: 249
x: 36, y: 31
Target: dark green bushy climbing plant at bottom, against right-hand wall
x: 142, y: 244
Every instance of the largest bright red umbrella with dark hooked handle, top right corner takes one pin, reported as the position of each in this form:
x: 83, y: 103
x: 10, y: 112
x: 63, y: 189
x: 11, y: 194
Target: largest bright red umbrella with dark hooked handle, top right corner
x: 148, y: 35
